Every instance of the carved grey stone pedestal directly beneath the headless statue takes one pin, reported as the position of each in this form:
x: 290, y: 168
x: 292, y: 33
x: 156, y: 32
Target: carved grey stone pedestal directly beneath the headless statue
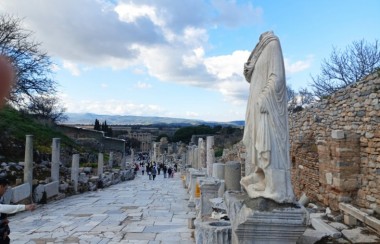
x: 262, y: 220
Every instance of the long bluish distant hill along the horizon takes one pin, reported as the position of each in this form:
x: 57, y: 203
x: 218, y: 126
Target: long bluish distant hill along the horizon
x: 89, y: 118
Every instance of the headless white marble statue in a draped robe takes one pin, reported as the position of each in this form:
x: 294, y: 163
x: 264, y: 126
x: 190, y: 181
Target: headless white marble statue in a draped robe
x: 266, y: 133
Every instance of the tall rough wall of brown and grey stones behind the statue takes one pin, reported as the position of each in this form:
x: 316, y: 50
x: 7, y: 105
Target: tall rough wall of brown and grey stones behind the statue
x: 335, y: 147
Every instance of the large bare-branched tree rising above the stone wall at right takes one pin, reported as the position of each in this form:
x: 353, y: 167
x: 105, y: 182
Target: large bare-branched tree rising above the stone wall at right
x: 344, y: 68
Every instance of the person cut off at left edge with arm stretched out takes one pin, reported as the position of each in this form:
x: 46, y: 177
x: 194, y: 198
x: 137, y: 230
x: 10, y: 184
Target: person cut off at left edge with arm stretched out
x: 6, y: 209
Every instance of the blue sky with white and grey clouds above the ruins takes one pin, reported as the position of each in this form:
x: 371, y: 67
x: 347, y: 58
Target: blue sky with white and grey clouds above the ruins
x: 183, y: 58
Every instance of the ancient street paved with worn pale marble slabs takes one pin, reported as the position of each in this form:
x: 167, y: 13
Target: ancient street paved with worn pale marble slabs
x: 137, y: 211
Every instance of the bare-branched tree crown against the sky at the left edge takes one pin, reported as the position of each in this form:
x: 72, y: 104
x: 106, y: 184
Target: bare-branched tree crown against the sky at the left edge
x: 32, y: 66
